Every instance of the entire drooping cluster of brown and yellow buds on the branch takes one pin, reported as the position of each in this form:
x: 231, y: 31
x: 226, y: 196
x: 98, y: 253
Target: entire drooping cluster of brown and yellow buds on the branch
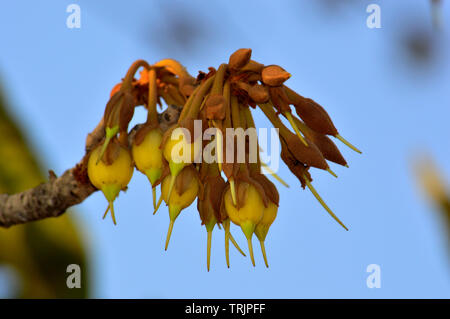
x: 227, y: 189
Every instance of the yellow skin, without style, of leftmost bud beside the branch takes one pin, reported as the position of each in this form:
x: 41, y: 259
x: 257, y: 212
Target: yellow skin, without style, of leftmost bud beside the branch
x: 110, y: 178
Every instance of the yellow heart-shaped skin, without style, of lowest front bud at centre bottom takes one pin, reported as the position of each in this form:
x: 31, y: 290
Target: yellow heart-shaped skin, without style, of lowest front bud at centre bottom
x: 249, y: 214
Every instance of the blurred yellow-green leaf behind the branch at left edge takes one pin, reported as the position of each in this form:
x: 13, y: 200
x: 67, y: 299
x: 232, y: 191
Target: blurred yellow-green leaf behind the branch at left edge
x: 39, y: 252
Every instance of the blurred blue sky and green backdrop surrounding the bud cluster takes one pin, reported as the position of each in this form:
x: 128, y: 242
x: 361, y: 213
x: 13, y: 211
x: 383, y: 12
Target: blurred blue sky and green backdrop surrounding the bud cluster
x: 386, y: 89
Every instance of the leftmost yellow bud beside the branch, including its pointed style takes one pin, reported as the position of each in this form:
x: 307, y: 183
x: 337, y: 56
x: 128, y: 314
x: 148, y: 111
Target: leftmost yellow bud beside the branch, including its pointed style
x: 111, y: 174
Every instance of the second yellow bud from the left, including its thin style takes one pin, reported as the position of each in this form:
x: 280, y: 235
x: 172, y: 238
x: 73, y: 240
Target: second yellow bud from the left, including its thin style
x: 147, y: 155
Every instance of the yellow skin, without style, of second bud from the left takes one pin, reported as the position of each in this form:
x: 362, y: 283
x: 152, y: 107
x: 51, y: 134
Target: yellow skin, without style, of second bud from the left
x: 148, y: 156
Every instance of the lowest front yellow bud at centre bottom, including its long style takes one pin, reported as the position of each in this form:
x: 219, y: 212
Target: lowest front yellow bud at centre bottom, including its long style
x: 248, y: 212
